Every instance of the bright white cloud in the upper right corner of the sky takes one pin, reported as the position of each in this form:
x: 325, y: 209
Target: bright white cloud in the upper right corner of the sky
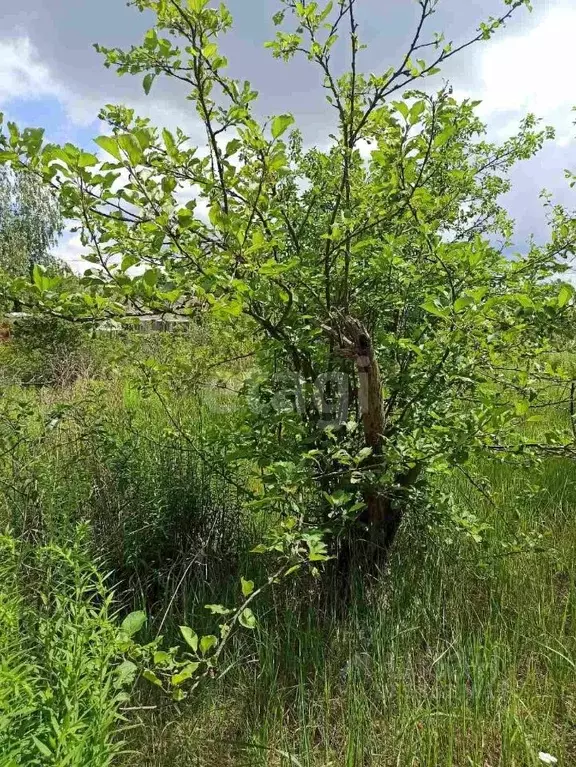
x: 531, y: 71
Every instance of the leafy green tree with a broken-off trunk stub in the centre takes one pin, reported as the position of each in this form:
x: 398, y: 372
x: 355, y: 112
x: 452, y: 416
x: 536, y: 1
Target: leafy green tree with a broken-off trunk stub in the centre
x: 377, y: 265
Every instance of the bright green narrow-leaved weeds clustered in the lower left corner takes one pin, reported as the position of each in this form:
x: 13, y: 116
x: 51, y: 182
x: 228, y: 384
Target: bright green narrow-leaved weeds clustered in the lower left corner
x: 59, y: 690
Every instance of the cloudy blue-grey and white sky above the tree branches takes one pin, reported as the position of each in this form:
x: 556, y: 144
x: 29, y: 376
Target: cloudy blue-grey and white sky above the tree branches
x: 51, y: 76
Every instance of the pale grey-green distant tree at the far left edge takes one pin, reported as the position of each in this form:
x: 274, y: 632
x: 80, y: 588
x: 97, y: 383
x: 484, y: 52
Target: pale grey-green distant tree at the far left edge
x: 30, y: 222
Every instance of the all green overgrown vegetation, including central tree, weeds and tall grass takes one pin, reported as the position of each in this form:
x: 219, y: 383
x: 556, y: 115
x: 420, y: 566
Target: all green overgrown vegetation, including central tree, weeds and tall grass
x: 328, y: 521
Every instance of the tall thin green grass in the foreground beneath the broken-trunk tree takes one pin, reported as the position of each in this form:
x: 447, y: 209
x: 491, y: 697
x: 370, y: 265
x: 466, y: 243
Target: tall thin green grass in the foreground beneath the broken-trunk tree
x: 451, y: 661
